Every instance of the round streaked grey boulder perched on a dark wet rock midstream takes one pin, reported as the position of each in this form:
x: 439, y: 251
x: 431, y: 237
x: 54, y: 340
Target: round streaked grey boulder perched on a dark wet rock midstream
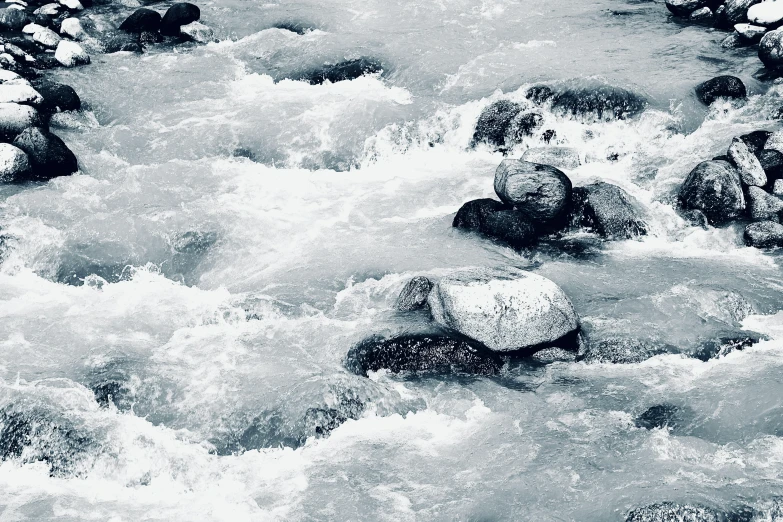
x: 541, y: 192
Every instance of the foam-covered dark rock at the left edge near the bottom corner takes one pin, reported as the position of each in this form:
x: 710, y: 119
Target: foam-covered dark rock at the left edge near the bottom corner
x: 34, y: 434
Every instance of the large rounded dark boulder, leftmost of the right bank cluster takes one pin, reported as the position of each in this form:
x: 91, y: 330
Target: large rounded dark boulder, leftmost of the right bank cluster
x: 714, y: 188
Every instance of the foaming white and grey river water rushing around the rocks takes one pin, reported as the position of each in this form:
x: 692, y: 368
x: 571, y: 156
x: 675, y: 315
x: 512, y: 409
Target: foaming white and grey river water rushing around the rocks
x: 232, y: 234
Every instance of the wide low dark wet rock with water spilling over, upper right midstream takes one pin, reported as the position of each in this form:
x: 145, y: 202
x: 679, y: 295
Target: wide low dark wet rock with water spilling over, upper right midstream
x: 598, y: 103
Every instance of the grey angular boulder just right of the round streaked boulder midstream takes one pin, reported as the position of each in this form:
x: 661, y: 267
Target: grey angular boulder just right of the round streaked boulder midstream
x: 607, y: 210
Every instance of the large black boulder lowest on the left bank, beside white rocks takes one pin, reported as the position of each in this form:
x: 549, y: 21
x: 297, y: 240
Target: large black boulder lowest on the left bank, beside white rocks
x: 48, y: 154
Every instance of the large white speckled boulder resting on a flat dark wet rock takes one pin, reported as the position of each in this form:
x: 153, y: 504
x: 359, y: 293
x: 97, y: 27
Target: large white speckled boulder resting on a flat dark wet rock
x: 504, y: 310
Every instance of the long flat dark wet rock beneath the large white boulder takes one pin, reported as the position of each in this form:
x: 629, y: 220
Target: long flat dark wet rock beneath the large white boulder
x: 422, y: 353
